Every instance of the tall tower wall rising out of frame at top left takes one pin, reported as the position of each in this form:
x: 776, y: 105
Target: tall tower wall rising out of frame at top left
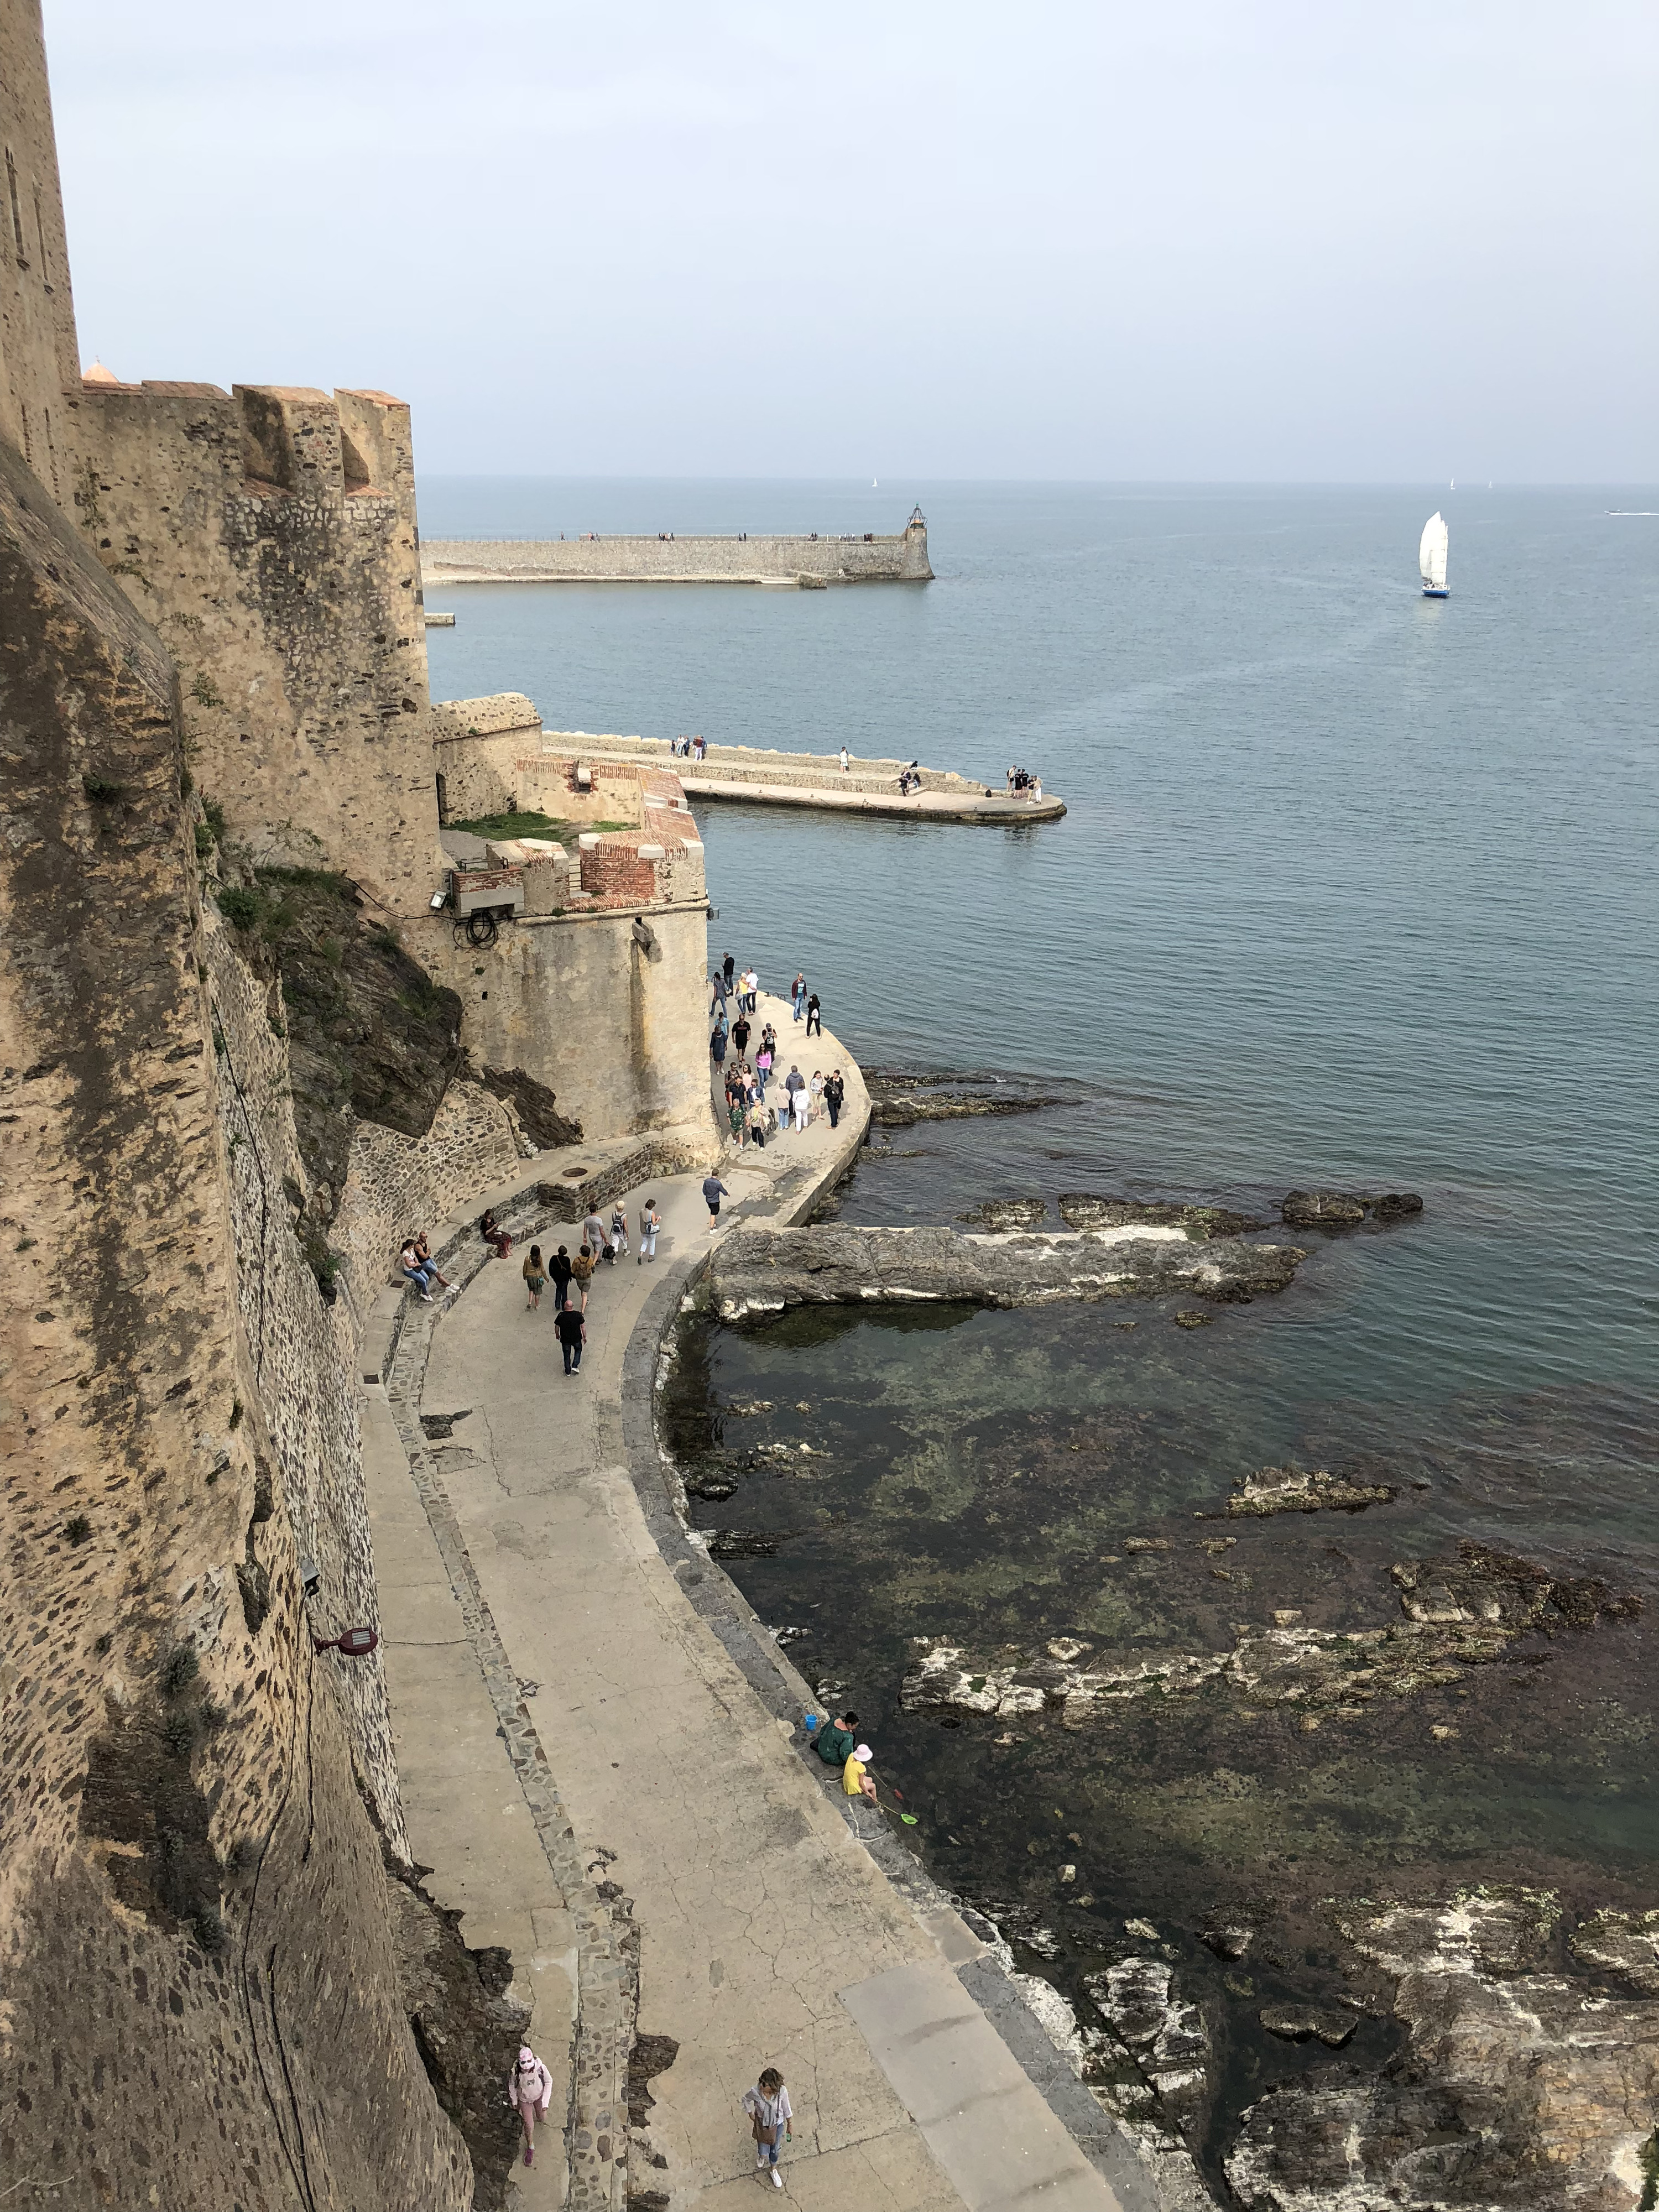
x: 36, y: 306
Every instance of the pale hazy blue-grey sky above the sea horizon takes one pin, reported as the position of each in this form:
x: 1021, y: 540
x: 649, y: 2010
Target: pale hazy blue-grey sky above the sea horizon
x: 1191, y: 240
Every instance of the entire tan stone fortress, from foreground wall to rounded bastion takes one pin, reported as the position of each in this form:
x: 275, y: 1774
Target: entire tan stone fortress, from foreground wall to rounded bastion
x: 216, y: 596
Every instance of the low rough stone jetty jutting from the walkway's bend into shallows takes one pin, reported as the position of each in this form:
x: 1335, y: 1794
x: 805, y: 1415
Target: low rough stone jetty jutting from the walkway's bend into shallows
x: 766, y: 1271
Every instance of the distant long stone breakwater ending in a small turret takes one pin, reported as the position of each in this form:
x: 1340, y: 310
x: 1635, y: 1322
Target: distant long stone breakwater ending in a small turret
x: 682, y: 561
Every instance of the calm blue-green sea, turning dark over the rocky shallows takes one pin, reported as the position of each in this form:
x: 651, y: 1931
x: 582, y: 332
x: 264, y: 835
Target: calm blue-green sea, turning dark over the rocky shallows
x: 1355, y: 890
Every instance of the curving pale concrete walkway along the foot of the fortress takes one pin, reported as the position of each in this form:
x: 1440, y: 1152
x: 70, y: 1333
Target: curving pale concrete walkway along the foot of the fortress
x: 769, y: 1934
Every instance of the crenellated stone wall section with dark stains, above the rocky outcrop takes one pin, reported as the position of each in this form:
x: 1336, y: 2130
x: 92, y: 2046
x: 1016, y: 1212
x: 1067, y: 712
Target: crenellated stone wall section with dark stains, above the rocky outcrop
x: 271, y: 539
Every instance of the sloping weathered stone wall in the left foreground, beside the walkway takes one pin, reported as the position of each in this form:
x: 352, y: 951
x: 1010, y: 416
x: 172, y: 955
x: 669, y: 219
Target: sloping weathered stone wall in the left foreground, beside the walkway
x: 200, y: 1999
